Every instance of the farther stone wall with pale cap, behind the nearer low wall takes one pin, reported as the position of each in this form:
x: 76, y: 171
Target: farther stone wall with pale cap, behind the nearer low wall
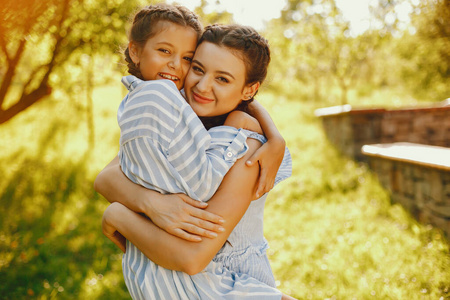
x: 349, y: 129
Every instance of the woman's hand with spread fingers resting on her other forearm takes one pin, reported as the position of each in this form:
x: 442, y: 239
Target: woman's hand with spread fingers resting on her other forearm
x: 184, y: 217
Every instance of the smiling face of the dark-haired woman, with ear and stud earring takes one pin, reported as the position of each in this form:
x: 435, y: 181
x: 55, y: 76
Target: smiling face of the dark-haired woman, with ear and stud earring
x: 215, y: 84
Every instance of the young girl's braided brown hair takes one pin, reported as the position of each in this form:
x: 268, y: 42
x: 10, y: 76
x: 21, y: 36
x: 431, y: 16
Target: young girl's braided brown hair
x: 144, y: 24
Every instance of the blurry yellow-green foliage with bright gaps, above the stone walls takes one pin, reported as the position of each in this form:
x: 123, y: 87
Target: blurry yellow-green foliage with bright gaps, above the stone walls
x: 405, y: 47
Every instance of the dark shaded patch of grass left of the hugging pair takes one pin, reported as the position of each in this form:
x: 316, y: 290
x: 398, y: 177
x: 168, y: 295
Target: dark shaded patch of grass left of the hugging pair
x: 51, y: 245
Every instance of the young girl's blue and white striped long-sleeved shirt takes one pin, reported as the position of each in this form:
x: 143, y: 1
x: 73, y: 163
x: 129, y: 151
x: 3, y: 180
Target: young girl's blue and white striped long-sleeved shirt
x: 164, y: 145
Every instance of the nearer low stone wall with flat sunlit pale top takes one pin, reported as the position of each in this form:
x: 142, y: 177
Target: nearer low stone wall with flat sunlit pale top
x: 417, y: 176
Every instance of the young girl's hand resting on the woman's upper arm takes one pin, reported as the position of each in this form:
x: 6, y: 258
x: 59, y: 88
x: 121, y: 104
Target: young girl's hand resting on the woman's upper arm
x: 269, y: 156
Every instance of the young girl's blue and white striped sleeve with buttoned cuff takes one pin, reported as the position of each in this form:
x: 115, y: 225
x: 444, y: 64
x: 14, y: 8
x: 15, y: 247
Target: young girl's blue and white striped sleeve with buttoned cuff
x: 201, y: 157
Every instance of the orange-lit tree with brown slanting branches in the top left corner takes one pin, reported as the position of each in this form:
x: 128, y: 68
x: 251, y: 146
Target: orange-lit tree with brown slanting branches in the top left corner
x: 41, y: 38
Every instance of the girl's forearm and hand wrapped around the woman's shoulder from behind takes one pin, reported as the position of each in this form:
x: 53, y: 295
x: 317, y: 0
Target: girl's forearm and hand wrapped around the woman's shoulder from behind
x: 271, y: 154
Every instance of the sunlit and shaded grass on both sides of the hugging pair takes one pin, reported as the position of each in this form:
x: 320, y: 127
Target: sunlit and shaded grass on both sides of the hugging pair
x: 332, y: 230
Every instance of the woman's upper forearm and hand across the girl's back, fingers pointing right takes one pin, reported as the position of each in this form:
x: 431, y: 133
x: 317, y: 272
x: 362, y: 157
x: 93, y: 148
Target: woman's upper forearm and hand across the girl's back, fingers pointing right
x: 177, y: 214
